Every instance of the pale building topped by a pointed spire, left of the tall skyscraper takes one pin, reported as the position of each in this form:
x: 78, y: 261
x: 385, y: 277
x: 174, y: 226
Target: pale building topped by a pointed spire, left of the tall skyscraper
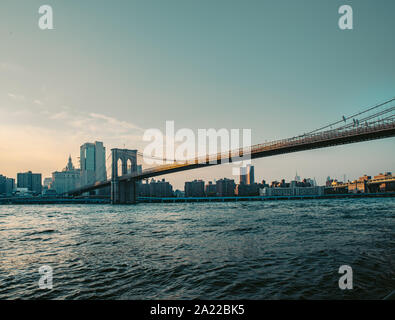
x: 67, y: 179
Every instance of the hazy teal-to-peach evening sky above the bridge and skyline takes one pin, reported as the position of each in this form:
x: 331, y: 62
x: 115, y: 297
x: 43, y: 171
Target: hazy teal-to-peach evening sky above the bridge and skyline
x: 112, y: 69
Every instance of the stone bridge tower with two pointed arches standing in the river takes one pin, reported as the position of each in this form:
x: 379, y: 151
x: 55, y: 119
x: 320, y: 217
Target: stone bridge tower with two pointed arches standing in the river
x: 123, y: 191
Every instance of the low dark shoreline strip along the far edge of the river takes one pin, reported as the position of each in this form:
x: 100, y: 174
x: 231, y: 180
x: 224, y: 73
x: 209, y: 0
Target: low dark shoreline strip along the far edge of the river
x: 44, y: 201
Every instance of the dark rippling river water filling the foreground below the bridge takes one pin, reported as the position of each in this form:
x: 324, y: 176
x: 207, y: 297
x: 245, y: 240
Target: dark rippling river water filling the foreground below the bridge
x: 243, y: 250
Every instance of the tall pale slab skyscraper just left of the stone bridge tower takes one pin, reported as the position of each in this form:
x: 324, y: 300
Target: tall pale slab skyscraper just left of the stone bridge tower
x: 93, y: 163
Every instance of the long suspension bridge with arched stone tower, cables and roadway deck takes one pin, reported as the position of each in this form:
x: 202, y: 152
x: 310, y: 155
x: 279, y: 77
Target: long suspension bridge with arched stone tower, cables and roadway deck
x: 376, y: 122
